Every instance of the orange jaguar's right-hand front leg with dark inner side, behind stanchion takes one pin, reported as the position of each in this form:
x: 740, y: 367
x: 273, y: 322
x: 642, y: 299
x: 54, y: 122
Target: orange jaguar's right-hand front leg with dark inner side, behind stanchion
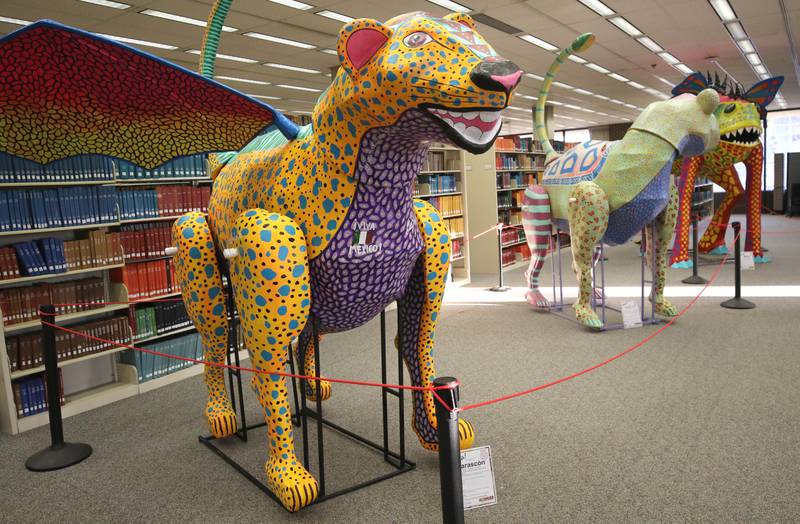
x: 419, y: 309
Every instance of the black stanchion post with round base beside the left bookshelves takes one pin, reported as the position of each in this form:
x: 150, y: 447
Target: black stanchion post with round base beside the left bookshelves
x: 60, y: 454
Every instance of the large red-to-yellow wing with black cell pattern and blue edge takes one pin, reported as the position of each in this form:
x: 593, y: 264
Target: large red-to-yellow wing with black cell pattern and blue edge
x: 66, y: 92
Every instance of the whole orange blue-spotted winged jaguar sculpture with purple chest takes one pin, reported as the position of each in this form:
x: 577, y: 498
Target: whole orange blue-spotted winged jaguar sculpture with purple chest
x: 313, y: 221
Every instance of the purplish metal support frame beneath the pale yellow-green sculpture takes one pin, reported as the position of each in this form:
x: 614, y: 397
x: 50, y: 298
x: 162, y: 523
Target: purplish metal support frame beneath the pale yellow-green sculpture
x: 598, y: 298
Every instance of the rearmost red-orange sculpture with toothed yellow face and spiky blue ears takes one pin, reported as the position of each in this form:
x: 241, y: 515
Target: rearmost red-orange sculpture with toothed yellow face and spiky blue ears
x: 739, y: 115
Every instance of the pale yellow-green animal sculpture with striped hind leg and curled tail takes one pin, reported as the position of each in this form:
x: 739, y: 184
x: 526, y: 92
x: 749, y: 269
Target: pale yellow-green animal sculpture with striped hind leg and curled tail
x: 608, y: 191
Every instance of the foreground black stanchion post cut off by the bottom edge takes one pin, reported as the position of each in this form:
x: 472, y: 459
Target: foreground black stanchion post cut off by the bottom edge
x: 449, y: 452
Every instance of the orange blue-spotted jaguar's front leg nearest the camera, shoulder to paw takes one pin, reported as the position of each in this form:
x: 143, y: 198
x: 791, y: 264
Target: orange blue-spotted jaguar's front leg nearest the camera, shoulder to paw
x: 272, y: 291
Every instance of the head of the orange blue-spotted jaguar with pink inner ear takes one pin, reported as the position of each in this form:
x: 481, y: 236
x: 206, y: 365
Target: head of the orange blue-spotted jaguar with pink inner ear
x: 441, y: 67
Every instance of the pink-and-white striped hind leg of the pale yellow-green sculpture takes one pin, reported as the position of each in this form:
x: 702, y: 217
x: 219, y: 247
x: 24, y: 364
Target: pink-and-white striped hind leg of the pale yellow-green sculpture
x: 536, y: 220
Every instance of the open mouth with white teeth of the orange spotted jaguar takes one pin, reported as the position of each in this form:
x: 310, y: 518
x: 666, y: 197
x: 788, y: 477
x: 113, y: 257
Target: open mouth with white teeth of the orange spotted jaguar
x: 473, y: 130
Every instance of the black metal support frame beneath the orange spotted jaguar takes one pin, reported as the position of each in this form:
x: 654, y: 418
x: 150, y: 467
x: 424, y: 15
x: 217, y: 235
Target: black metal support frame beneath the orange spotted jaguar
x: 303, y: 412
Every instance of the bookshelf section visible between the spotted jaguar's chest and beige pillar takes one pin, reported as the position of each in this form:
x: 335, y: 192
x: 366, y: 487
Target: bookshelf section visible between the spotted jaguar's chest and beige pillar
x: 442, y: 183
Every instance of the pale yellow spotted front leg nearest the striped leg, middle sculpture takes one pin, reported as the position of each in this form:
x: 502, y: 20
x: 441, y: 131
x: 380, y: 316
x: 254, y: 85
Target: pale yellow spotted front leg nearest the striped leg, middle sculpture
x: 588, y: 213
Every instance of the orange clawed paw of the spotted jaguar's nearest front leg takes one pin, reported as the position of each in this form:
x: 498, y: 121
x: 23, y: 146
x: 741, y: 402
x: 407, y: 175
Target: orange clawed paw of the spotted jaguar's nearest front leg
x: 291, y: 482
